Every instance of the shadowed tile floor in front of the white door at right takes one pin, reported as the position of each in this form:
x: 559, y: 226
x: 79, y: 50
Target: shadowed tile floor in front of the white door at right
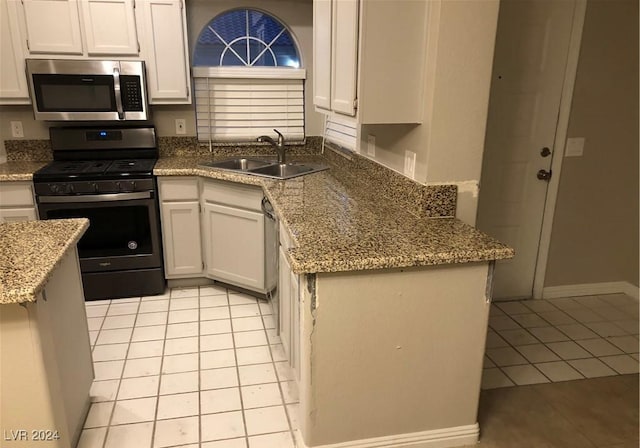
x: 542, y: 341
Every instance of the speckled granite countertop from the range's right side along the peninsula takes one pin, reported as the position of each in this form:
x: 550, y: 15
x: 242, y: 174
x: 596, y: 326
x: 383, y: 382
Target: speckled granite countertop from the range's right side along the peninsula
x: 339, y: 223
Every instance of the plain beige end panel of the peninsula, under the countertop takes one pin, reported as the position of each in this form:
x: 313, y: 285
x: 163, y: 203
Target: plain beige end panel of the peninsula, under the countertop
x: 392, y: 352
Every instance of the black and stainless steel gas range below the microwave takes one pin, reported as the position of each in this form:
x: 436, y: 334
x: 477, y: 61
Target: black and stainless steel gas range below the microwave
x: 106, y: 175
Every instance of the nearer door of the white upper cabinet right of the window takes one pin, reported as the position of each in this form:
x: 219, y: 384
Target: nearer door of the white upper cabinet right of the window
x: 344, y: 56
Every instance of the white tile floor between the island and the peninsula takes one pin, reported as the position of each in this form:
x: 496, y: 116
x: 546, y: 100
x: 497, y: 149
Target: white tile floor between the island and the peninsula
x: 195, y: 367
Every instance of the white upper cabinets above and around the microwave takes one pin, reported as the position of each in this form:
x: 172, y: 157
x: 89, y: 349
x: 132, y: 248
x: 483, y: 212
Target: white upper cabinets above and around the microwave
x: 152, y: 30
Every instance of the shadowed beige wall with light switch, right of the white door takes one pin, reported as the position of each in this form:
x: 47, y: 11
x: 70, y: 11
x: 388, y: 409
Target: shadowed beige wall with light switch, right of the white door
x: 595, y: 229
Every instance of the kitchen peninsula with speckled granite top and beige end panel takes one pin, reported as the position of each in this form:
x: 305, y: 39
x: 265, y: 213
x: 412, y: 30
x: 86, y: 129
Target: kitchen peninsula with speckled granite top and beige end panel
x: 389, y: 302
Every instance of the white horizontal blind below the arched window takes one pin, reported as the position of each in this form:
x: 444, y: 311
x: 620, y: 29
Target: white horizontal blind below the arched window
x: 237, y: 109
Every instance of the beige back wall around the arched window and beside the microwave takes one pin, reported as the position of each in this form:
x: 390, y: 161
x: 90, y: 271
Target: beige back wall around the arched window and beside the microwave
x: 297, y: 14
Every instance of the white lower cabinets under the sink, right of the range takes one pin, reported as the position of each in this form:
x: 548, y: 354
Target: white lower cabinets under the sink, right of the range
x: 216, y: 229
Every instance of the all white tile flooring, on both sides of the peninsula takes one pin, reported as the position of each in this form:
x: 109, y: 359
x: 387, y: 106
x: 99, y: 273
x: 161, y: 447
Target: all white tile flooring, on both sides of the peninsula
x: 203, y: 367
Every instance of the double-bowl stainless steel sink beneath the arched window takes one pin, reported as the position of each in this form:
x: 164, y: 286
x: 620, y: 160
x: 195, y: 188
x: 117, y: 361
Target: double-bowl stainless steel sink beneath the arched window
x: 265, y: 168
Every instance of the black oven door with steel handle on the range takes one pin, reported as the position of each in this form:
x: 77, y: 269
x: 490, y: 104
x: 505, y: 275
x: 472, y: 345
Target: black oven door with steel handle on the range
x: 123, y: 233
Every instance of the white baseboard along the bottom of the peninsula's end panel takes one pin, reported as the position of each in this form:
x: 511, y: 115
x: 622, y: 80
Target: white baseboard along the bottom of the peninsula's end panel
x: 437, y: 438
